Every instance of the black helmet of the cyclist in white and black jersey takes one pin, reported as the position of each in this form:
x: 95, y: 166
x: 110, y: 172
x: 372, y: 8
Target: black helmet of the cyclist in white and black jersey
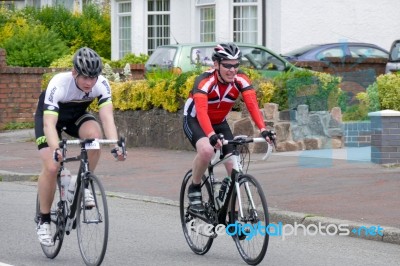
x: 87, y: 62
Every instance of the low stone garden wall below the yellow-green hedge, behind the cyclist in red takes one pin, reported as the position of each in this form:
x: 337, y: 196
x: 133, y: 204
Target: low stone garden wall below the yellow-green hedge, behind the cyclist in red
x: 305, y: 131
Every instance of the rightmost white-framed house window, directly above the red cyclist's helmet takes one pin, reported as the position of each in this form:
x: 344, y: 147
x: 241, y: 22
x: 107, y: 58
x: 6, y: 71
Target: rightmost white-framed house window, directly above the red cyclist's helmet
x: 245, y: 21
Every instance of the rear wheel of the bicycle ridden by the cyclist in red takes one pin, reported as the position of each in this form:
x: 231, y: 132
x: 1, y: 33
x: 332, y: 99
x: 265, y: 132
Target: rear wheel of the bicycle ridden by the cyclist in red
x: 198, y: 243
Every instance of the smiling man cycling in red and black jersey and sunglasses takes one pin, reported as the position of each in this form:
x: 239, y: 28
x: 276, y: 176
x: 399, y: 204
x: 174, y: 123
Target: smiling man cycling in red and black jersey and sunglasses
x: 211, y: 99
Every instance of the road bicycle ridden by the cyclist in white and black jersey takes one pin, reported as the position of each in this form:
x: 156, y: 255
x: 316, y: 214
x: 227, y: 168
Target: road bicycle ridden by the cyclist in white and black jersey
x: 91, y: 223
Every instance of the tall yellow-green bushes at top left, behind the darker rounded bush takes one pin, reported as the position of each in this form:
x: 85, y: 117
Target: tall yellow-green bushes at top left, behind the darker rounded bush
x: 92, y: 28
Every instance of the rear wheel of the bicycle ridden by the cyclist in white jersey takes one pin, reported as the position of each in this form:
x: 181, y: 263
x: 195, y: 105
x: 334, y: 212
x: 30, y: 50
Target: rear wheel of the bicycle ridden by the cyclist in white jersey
x: 57, y: 225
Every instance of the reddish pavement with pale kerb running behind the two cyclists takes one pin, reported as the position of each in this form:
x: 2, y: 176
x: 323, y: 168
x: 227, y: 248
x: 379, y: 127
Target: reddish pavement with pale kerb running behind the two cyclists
x: 329, y: 188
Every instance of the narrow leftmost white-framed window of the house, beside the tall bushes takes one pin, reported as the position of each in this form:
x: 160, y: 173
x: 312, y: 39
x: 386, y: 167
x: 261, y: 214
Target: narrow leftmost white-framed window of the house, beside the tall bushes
x: 124, y: 28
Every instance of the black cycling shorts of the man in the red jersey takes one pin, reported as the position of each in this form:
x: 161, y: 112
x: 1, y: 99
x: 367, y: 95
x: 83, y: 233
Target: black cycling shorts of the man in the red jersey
x: 194, y: 132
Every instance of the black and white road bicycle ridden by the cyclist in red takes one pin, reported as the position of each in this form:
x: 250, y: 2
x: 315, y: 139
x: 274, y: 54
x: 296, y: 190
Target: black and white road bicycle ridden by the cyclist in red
x: 244, y: 213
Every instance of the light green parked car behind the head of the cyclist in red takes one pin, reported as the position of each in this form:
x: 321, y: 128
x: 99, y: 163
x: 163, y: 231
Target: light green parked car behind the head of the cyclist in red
x: 189, y: 56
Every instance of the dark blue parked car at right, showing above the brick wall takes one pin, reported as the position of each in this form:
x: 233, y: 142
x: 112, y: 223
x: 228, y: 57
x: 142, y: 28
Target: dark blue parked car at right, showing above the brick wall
x: 320, y: 52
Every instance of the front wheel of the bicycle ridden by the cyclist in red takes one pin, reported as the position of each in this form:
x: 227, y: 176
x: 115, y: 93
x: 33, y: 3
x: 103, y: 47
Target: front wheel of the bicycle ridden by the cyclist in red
x: 255, y: 216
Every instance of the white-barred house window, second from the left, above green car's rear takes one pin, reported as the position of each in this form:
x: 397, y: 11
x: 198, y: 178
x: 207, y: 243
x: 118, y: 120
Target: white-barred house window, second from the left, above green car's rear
x: 158, y: 24
